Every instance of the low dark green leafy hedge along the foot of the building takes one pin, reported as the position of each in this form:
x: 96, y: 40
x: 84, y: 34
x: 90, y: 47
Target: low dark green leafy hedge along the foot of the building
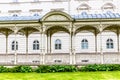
x: 61, y: 68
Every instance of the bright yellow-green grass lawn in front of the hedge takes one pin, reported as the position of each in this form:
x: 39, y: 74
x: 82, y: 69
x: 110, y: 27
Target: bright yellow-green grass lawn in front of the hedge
x: 62, y: 76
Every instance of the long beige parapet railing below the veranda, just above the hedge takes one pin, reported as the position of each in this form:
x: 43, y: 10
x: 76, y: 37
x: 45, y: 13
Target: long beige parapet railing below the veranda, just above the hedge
x: 60, y: 58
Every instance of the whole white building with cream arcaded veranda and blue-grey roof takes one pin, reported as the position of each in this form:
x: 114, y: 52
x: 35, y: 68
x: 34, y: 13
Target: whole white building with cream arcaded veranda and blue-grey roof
x: 75, y: 32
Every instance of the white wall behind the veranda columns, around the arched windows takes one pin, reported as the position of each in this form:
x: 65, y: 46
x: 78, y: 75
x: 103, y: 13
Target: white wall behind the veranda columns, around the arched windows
x: 65, y: 40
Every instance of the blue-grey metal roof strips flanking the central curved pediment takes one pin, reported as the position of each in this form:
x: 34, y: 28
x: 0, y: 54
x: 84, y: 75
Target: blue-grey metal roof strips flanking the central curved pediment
x: 83, y: 15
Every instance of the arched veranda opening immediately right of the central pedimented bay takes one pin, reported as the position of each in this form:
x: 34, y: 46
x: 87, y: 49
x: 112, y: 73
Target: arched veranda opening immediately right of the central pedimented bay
x: 88, y: 33
